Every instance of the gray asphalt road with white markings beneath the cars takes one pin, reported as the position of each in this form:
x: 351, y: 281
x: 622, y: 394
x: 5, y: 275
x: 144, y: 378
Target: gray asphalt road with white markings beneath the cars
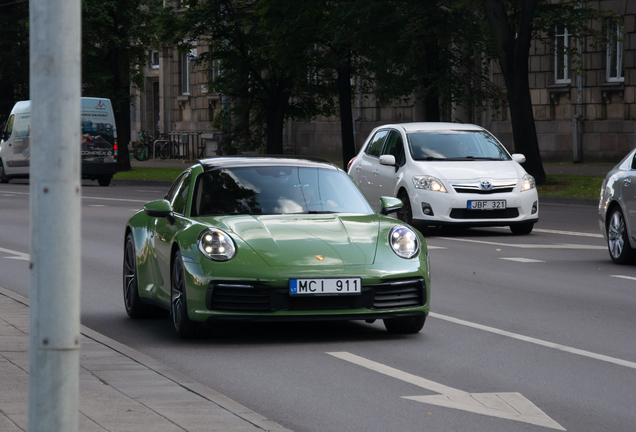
x: 544, y: 323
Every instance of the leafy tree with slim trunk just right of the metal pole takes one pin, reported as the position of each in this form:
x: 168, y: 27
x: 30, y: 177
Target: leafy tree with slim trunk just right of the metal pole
x: 116, y: 37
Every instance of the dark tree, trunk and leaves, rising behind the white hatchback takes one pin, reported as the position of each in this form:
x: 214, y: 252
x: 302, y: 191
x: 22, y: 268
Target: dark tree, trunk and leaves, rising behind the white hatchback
x: 513, y: 25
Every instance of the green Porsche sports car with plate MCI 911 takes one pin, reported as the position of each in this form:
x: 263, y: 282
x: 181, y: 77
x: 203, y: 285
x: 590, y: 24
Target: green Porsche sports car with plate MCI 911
x: 272, y: 239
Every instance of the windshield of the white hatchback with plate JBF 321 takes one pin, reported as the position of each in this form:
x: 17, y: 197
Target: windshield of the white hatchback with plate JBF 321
x: 455, y: 145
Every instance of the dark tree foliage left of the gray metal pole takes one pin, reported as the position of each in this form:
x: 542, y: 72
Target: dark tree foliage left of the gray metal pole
x: 14, y: 55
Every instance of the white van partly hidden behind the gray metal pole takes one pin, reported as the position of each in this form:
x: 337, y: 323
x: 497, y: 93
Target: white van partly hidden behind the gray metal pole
x: 98, y: 144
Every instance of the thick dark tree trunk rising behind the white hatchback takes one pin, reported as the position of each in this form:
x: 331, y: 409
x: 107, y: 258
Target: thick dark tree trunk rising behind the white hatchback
x: 513, y: 50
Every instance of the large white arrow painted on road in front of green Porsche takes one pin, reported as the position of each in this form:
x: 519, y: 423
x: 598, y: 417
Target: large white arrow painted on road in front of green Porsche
x: 511, y: 406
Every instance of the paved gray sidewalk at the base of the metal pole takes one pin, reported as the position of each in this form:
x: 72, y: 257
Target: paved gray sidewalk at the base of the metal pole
x: 120, y: 388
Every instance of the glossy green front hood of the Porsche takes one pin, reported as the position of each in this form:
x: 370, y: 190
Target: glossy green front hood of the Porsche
x: 308, y: 240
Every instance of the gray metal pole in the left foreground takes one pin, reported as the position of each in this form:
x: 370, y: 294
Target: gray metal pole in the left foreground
x: 55, y: 53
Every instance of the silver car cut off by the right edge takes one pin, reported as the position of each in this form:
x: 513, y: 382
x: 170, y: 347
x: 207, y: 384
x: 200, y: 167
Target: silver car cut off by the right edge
x: 617, y: 210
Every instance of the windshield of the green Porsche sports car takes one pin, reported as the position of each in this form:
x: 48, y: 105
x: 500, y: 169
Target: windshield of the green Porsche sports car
x: 276, y: 190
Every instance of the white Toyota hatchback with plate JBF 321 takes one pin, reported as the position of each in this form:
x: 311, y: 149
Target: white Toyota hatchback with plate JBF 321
x: 447, y: 174
